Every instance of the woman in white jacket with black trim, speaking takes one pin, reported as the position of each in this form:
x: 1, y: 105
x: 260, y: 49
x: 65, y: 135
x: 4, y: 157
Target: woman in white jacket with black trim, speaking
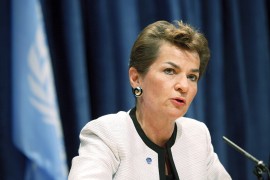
x: 154, y: 140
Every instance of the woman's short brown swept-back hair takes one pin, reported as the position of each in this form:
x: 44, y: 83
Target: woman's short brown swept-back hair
x: 145, y: 49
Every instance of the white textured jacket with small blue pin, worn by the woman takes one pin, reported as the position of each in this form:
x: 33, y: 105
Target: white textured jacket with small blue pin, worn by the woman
x: 115, y: 147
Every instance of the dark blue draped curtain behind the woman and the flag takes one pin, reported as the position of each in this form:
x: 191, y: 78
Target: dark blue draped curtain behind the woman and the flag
x: 89, y: 44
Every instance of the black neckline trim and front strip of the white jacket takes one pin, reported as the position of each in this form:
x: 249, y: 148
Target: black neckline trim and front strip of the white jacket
x: 164, y: 153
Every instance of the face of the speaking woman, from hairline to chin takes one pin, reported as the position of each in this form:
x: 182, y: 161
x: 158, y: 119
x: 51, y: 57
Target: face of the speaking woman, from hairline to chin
x: 170, y: 84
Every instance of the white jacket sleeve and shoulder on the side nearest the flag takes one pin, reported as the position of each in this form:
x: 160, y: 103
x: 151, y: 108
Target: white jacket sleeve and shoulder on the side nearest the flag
x: 99, y: 147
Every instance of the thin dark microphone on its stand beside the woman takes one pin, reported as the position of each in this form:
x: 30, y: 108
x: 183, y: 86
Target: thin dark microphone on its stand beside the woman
x: 260, y: 167
